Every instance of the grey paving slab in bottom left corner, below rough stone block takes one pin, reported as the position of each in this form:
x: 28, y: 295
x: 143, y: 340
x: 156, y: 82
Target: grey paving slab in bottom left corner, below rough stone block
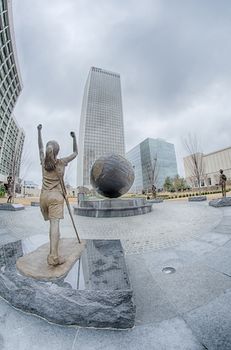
x: 25, y: 332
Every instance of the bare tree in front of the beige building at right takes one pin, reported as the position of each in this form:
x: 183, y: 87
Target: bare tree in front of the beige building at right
x: 194, y: 161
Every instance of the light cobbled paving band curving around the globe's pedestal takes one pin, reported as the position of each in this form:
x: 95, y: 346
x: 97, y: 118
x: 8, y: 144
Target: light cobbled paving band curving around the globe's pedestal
x: 166, y: 226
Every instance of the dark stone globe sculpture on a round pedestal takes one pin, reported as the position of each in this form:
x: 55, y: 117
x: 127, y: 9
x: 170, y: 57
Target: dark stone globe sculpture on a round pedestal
x: 112, y: 175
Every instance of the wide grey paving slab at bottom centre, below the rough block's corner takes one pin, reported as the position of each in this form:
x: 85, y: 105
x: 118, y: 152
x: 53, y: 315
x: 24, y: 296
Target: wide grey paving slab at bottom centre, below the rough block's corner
x: 173, y: 334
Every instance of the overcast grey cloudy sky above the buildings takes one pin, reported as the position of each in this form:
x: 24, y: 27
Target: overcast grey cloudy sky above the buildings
x: 174, y: 58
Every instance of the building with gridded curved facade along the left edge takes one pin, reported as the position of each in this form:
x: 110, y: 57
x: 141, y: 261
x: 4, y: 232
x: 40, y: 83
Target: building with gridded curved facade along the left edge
x: 11, y: 135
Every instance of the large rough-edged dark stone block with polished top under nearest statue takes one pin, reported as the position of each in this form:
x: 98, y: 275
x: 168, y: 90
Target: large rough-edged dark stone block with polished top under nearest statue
x: 95, y: 293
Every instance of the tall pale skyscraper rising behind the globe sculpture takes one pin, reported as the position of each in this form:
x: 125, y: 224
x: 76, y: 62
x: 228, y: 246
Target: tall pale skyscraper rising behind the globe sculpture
x: 101, y: 124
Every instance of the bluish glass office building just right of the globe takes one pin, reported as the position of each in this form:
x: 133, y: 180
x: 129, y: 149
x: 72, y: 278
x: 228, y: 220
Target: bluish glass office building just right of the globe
x: 153, y: 160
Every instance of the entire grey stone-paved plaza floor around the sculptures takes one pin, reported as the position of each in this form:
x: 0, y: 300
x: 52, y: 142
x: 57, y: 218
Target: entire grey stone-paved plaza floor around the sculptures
x: 187, y: 310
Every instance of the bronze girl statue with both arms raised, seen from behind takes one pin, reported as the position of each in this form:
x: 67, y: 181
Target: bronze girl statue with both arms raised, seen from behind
x: 52, y: 197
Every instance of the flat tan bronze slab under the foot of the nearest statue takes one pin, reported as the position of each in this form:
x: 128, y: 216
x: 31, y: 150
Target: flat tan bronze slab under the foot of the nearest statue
x: 35, y: 264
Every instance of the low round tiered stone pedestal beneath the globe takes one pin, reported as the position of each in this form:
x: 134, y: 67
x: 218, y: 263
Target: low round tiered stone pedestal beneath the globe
x: 108, y: 208
